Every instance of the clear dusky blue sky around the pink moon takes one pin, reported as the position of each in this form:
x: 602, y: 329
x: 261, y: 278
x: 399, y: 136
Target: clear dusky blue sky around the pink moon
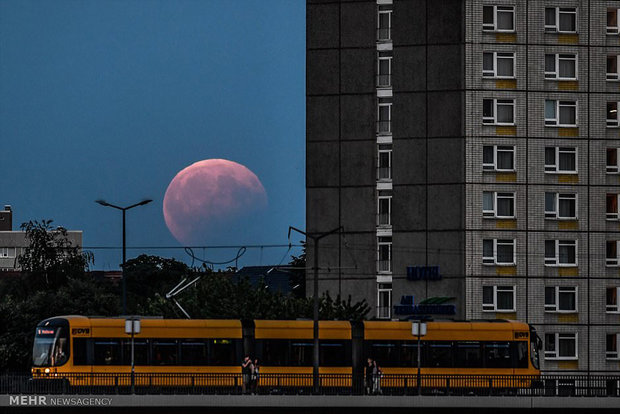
x: 110, y: 99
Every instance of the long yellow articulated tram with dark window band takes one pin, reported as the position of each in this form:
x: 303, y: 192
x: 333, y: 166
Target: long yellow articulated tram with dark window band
x: 66, y: 346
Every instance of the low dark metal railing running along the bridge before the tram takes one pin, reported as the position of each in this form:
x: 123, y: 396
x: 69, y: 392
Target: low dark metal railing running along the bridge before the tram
x: 330, y: 384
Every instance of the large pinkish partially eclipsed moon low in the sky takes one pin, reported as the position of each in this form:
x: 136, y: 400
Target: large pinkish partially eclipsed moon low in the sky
x: 208, y: 197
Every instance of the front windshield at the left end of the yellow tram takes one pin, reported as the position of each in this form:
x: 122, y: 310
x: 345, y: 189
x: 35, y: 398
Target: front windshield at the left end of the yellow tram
x: 51, y: 345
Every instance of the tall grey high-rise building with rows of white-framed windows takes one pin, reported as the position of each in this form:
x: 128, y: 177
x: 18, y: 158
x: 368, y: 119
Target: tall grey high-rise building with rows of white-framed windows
x: 469, y: 151
